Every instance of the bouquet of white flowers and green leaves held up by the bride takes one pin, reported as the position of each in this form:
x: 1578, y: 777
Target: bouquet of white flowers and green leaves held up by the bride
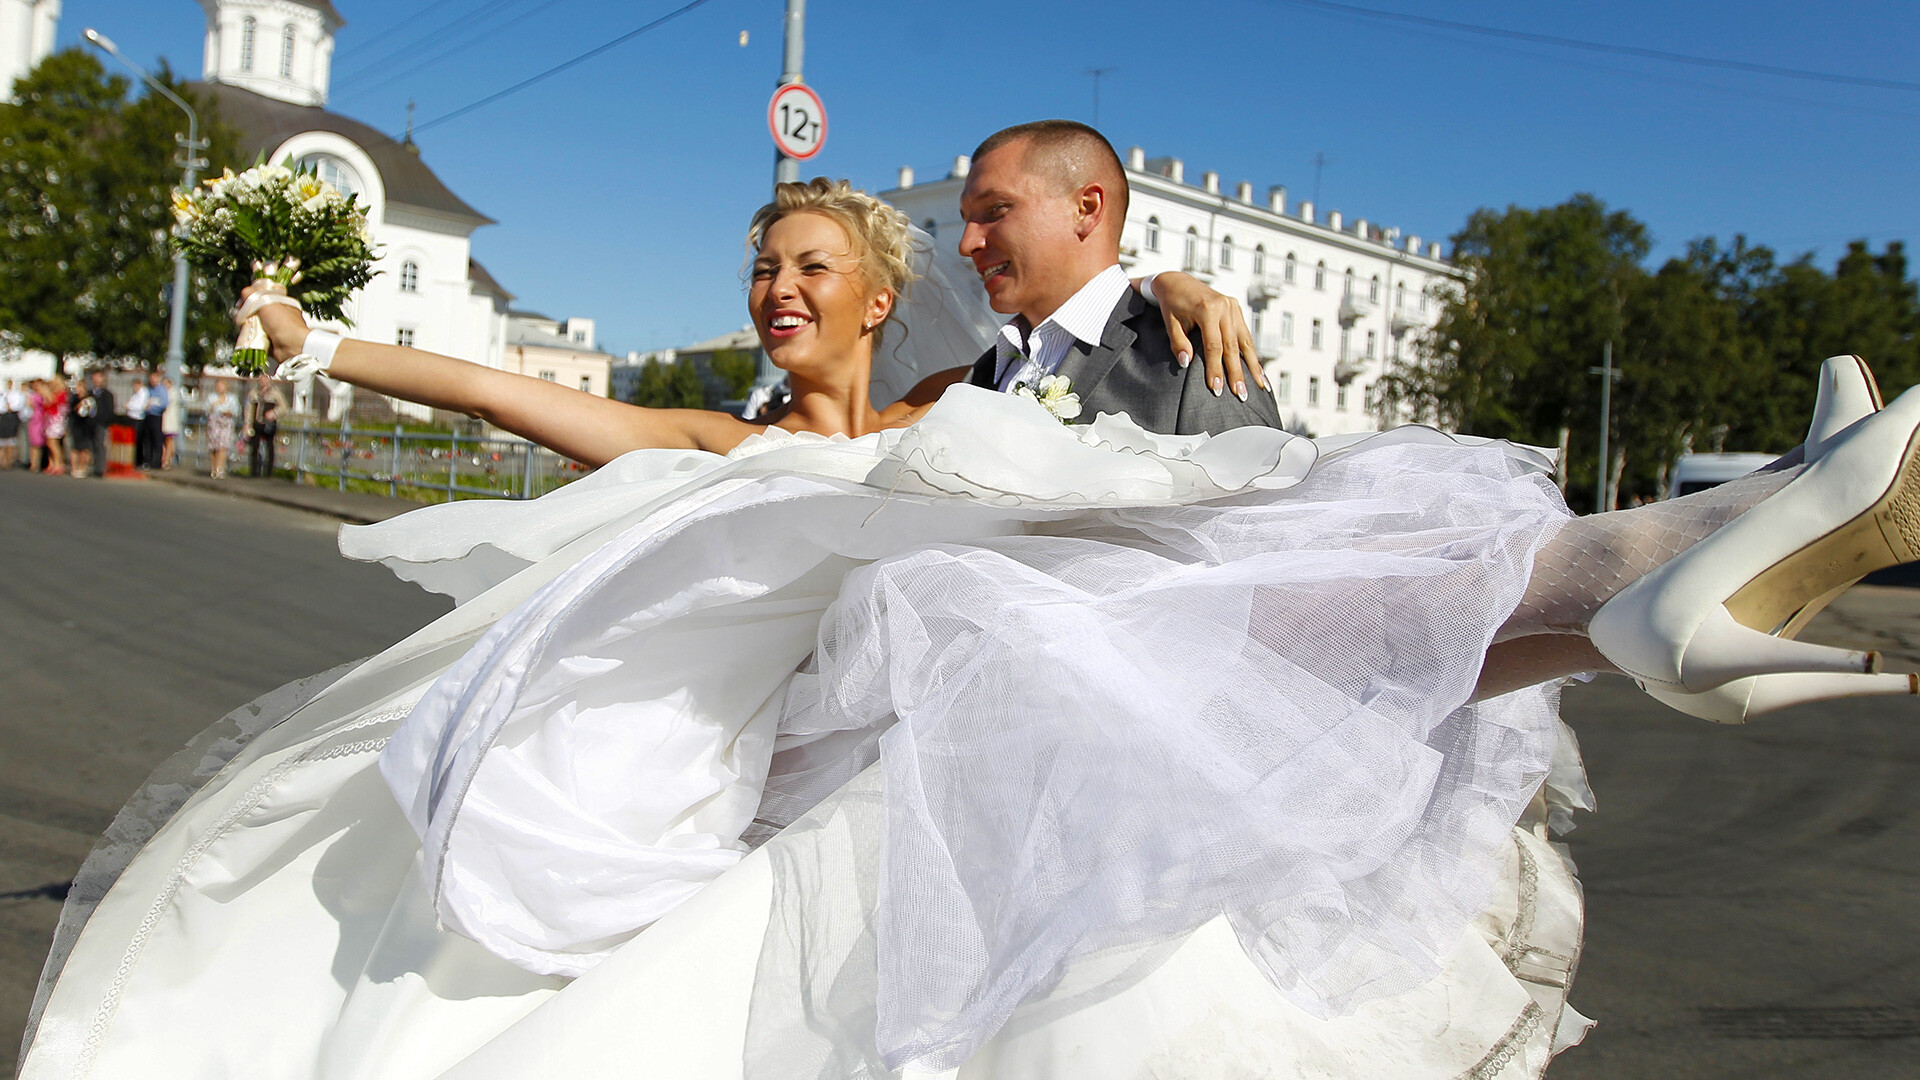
x: 281, y: 226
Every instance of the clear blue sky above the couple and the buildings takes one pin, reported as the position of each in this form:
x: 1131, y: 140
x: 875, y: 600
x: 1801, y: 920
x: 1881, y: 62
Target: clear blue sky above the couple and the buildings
x: 625, y: 184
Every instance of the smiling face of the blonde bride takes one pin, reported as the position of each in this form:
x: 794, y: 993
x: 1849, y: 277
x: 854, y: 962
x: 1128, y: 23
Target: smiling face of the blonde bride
x: 809, y: 299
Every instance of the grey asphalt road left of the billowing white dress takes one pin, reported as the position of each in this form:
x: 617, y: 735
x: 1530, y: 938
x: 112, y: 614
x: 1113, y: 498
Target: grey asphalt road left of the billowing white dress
x: 132, y: 618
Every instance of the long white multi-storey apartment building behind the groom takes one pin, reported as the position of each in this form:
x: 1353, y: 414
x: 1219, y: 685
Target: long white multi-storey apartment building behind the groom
x: 1332, y: 301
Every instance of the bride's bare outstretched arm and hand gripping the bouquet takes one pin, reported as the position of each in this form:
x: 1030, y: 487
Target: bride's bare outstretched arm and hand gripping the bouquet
x: 564, y: 420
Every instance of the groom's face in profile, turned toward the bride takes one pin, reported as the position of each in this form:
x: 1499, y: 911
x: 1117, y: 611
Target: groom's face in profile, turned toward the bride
x: 1020, y: 228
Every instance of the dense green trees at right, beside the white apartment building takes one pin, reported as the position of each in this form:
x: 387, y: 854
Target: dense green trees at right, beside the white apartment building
x: 1717, y: 349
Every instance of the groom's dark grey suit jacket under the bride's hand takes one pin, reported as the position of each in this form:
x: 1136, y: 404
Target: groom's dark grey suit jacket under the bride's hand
x: 1134, y: 372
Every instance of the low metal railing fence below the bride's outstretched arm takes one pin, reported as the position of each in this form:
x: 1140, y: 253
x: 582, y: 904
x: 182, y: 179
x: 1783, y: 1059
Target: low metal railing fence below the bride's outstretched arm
x: 420, y: 464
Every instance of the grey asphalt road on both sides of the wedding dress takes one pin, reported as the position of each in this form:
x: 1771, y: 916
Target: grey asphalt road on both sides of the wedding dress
x: 1752, y: 893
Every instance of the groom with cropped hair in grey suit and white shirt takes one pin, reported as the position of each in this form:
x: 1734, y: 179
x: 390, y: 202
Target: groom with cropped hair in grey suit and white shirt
x: 1044, y: 207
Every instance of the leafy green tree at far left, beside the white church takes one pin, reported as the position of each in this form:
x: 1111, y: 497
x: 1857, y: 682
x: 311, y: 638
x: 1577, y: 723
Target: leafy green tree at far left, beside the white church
x: 85, y: 189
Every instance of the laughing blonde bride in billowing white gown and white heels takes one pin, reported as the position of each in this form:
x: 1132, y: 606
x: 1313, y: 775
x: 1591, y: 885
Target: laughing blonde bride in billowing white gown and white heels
x: 886, y: 741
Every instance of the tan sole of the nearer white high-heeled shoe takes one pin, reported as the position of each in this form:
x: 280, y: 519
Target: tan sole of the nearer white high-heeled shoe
x: 1886, y: 535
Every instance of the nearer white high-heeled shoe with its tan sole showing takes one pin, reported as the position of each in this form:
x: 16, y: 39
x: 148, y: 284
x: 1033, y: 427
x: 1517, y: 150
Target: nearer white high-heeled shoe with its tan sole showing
x: 1716, y: 614
